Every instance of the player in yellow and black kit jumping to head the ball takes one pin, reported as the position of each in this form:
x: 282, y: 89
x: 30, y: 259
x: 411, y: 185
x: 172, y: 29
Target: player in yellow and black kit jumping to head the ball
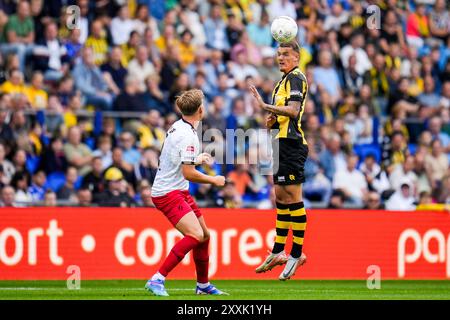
x: 290, y: 151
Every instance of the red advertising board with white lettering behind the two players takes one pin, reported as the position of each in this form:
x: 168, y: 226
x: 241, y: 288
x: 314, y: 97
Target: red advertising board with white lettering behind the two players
x: 105, y: 243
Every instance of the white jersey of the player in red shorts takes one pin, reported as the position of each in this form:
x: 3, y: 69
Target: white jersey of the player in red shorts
x: 180, y: 146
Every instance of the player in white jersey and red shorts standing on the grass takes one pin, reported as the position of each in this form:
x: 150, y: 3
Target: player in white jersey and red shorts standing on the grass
x: 170, y: 194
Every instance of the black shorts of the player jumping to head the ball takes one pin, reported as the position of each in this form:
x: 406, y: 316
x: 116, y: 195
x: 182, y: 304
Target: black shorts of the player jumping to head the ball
x: 289, y: 161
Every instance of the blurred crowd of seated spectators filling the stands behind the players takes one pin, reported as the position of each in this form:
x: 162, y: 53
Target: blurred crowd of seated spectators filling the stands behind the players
x: 87, y: 96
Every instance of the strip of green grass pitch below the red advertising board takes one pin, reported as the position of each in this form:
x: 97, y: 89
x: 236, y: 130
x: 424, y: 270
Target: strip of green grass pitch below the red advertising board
x: 238, y: 290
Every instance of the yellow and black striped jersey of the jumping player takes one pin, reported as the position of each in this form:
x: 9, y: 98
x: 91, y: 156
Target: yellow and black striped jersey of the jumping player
x: 292, y: 87
